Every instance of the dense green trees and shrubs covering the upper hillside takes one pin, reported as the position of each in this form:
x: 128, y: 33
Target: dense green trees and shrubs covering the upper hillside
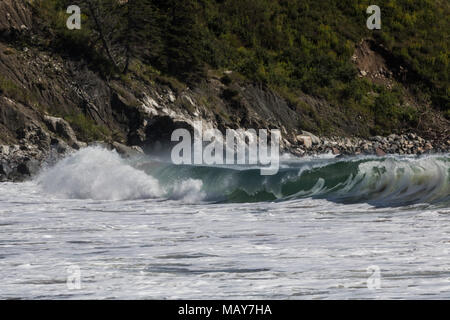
x: 290, y: 46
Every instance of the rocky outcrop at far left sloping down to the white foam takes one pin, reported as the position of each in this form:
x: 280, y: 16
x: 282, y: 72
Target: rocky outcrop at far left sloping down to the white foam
x: 27, y: 143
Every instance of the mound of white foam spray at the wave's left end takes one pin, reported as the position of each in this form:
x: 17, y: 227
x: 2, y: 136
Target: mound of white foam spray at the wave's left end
x: 100, y: 174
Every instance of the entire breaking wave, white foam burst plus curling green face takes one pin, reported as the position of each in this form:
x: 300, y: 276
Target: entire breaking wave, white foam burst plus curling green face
x: 96, y: 173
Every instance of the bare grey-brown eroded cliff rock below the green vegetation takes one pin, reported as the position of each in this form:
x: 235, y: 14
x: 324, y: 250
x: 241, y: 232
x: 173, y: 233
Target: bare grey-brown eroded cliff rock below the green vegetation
x: 51, y: 104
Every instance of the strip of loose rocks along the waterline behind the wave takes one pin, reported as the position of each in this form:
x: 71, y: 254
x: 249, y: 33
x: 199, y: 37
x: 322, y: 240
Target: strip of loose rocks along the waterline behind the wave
x: 20, y: 162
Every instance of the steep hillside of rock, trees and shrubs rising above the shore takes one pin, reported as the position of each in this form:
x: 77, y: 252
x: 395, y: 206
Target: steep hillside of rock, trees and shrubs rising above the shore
x: 138, y: 69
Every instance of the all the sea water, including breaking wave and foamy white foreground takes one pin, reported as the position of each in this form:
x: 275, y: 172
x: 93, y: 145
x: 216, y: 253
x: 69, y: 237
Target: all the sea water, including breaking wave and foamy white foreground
x: 96, y: 226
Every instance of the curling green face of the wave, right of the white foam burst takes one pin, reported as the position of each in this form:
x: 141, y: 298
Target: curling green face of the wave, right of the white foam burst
x: 388, y: 181
